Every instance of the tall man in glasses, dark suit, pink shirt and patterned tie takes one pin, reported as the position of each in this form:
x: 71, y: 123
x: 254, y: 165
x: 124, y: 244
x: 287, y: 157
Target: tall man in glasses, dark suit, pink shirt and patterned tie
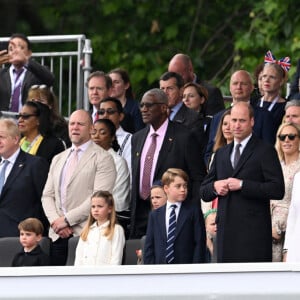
x: 161, y: 145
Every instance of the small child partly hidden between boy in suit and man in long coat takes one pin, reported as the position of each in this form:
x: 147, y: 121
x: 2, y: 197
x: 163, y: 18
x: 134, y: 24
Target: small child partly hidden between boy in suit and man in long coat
x: 211, y: 233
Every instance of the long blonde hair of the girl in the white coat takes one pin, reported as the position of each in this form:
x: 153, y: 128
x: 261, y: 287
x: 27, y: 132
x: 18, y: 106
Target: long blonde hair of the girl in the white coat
x: 109, y: 200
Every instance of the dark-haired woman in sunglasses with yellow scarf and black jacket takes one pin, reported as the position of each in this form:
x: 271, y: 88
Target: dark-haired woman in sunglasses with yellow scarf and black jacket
x: 35, y: 127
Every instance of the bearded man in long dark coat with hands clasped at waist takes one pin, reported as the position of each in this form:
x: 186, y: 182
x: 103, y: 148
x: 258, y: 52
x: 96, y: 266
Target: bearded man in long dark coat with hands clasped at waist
x: 244, y: 175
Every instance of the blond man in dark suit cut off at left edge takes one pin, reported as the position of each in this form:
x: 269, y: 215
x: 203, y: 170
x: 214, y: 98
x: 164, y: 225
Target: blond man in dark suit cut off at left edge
x: 22, y: 184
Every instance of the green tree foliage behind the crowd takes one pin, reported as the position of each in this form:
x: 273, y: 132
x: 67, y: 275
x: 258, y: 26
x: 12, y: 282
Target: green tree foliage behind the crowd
x: 141, y: 35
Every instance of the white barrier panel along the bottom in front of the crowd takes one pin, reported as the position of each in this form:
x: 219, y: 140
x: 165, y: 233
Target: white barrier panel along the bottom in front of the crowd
x: 209, y: 281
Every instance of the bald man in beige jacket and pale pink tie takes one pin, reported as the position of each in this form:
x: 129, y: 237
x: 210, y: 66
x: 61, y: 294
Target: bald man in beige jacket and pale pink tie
x: 66, y: 198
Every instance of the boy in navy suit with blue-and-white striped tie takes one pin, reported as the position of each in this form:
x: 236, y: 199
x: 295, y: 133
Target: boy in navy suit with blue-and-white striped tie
x: 177, y: 240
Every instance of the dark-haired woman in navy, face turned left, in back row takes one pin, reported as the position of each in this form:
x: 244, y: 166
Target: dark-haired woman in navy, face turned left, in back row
x: 122, y: 90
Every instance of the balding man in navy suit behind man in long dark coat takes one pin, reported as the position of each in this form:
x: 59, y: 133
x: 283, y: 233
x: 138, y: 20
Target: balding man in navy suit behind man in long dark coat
x: 241, y: 87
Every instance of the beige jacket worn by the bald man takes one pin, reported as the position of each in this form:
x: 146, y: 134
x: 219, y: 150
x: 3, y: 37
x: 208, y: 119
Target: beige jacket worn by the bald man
x: 95, y: 171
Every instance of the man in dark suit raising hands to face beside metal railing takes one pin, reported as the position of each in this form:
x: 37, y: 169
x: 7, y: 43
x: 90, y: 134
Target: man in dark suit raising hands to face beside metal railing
x: 23, y: 72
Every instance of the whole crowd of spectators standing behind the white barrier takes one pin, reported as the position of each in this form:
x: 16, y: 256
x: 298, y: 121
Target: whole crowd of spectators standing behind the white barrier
x: 197, y: 181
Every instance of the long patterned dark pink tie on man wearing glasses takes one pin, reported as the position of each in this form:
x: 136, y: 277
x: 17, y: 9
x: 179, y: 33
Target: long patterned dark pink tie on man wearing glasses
x: 146, y: 179
